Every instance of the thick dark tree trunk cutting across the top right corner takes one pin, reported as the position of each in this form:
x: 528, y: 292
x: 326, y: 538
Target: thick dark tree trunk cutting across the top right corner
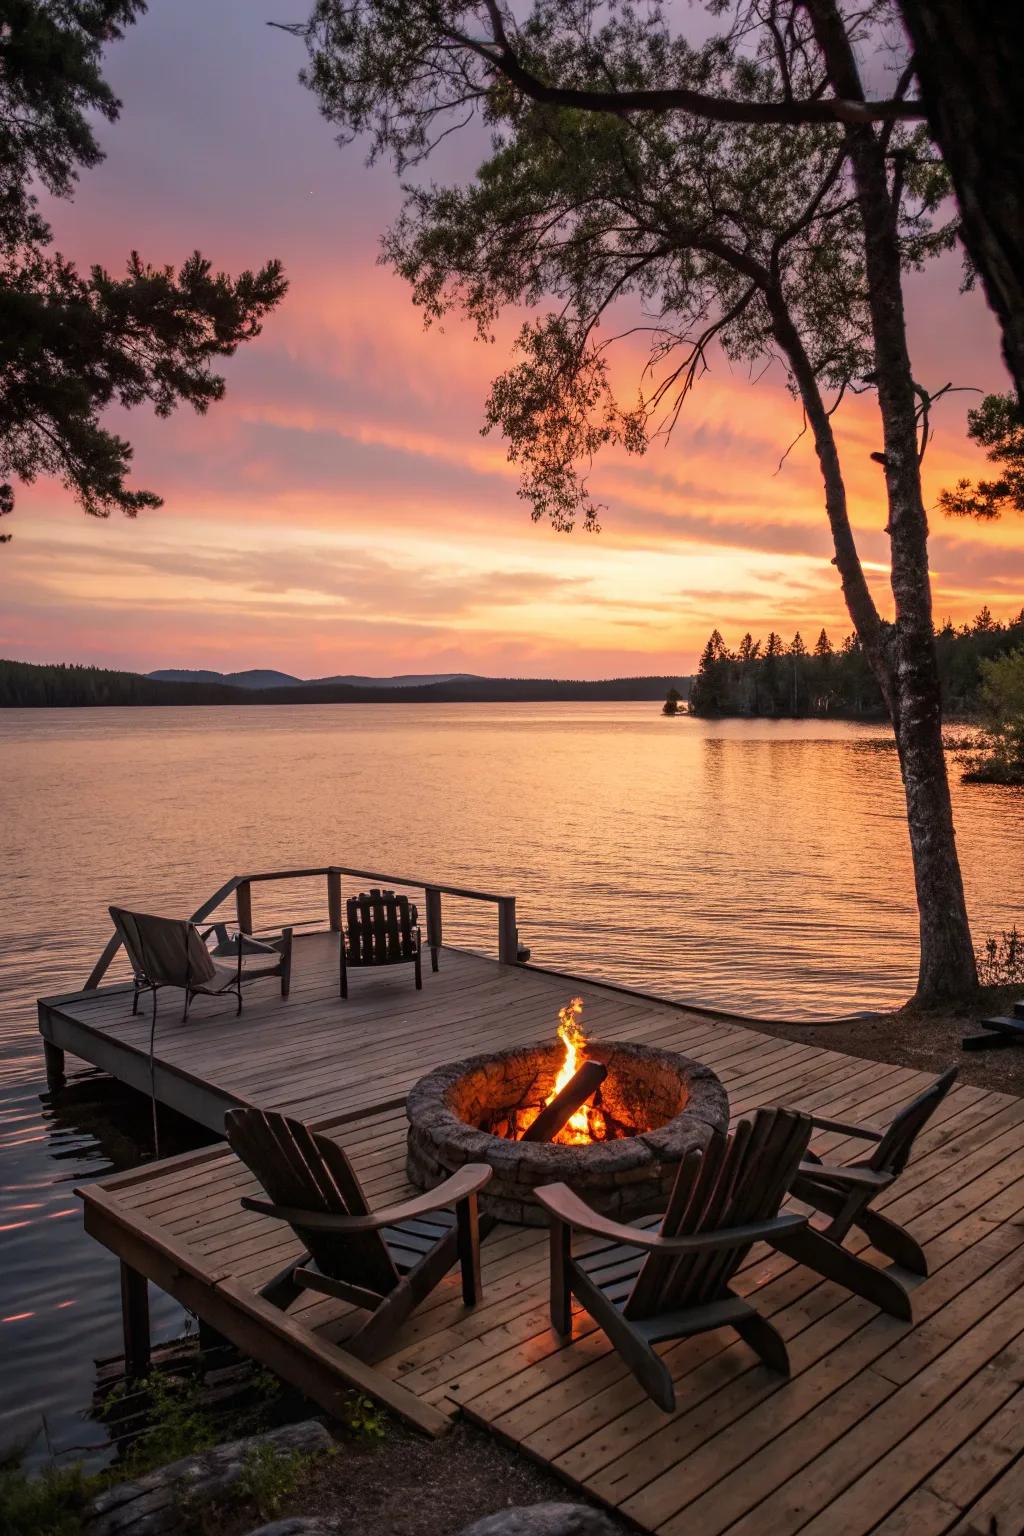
x: 968, y: 61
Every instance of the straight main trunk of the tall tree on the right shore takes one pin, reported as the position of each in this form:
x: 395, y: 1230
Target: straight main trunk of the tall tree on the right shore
x: 948, y: 961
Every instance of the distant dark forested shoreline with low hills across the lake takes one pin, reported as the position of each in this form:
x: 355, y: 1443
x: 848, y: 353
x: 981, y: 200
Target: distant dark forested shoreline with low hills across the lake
x: 30, y: 686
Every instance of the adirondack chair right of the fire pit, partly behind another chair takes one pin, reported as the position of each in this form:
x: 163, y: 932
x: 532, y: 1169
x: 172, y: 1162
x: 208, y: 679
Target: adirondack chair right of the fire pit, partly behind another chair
x: 845, y: 1194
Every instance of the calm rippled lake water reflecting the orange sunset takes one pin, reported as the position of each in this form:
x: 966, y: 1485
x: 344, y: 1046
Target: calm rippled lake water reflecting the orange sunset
x: 759, y: 867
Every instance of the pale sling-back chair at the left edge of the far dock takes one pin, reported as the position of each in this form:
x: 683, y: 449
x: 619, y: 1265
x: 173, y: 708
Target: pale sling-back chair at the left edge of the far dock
x: 170, y: 952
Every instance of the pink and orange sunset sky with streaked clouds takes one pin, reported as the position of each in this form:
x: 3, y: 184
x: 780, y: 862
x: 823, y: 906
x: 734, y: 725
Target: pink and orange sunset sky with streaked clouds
x: 340, y: 511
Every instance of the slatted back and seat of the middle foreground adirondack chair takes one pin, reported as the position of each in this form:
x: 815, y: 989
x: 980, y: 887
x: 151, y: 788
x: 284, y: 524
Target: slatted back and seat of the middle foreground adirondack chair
x: 730, y: 1185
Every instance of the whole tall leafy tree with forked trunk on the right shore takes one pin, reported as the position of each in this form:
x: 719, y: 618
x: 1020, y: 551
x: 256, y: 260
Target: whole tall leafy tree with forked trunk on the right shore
x: 744, y: 193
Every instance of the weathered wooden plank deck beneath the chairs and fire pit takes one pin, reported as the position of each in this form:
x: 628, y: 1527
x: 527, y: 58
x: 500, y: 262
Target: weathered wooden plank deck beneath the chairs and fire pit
x: 884, y: 1428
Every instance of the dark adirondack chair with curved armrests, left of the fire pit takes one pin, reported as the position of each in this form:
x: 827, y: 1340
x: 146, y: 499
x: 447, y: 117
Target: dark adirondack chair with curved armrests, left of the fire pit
x: 386, y: 1260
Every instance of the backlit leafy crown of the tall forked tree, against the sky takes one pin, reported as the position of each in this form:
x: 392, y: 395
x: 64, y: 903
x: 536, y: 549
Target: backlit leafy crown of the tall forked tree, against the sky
x: 690, y: 231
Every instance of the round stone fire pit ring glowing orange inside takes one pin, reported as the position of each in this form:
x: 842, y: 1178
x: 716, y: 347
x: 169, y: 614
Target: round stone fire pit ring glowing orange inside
x: 661, y: 1105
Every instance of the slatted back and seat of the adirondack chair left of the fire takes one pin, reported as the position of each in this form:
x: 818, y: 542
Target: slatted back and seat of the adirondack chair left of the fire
x: 306, y: 1171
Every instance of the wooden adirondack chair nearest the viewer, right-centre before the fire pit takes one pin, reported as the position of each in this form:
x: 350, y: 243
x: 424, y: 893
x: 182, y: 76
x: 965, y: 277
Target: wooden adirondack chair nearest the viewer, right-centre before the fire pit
x: 673, y: 1282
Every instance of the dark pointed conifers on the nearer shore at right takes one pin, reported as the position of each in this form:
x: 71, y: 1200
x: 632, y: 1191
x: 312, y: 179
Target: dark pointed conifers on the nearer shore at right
x: 773, y: 678
